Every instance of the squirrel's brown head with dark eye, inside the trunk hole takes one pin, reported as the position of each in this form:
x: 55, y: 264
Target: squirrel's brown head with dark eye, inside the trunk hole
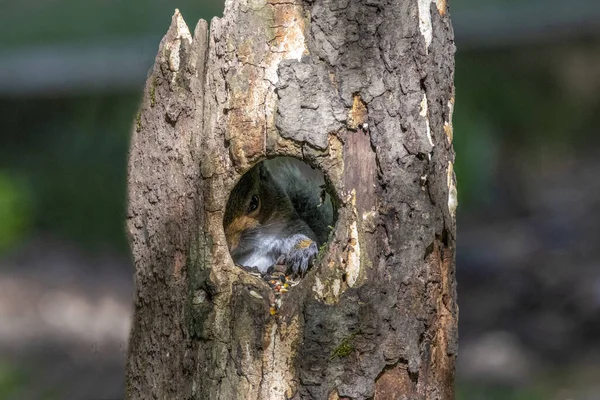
x: 256, y: 201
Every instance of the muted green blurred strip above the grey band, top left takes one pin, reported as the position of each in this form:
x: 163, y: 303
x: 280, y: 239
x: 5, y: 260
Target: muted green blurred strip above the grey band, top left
x: 37, y: 22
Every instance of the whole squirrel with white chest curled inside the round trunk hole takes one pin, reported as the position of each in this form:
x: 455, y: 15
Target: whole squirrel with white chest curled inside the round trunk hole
x: 278, y: 213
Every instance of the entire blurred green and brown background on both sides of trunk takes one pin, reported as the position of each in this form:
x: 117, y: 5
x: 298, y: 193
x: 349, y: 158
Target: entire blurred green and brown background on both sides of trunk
x: 526, y: 137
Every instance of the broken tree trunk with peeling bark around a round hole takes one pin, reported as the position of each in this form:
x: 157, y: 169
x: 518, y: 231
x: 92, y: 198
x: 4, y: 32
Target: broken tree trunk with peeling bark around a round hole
x: 361, y: 89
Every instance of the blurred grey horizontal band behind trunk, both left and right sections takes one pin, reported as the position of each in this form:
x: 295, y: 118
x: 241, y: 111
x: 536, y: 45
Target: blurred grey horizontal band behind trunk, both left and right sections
x: 122, y: 64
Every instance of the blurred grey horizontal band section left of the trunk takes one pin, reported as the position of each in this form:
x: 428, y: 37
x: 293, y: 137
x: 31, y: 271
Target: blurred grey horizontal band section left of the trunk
x: 116, y: 64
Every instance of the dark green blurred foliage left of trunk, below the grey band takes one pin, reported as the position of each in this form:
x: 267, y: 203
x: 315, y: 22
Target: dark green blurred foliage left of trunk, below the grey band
x: 73, y: 154
